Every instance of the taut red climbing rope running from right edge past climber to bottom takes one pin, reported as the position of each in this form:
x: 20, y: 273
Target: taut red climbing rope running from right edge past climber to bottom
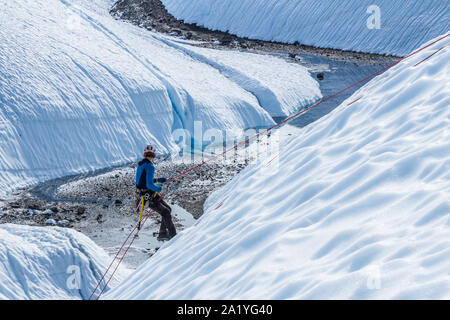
x: 257, y: 135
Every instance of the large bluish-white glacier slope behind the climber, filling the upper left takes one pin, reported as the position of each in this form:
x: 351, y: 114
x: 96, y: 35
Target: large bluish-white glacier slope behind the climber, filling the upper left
x: 80, y: 90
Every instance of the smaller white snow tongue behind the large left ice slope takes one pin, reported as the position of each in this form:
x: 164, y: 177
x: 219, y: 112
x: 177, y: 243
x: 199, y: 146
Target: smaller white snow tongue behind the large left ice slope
x: 279, y: 94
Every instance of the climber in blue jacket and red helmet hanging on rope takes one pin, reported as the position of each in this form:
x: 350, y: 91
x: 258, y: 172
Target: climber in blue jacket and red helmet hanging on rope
x: 147, y: 194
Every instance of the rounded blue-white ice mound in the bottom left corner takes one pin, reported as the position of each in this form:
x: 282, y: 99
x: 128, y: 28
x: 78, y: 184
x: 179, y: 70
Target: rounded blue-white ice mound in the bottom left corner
x: 49, y: 263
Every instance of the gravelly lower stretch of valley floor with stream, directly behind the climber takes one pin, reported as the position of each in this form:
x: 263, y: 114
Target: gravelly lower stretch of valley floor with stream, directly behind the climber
x: 101, y: 204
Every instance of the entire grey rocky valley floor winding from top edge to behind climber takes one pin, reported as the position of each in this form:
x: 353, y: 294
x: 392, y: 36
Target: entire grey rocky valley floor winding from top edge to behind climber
x: 101, y: 204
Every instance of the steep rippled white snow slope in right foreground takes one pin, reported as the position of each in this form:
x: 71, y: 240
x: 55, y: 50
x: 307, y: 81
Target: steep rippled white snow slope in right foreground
x: 357, y: 206
